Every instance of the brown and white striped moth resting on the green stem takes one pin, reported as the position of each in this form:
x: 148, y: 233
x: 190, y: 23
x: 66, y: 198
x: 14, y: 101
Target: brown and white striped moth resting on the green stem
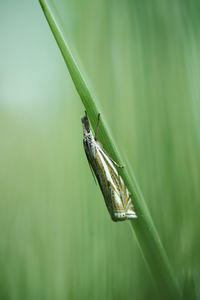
x: 104, y: 168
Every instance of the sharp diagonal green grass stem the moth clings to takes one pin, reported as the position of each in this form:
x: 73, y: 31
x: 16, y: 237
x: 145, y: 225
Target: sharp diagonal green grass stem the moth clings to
x: 144, y: 229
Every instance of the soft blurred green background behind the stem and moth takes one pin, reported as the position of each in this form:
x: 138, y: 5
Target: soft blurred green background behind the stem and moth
x: 142, y: 61
